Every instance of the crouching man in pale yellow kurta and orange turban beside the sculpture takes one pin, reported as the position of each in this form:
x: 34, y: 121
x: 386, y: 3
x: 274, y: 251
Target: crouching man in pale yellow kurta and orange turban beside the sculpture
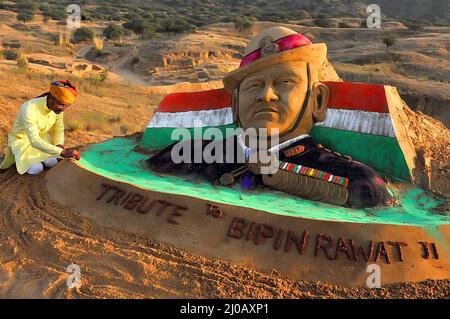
x: 37, y: 137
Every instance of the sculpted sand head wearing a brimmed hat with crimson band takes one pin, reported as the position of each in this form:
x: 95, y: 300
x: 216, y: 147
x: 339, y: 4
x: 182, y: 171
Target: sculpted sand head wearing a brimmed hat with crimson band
x: 277, y: 85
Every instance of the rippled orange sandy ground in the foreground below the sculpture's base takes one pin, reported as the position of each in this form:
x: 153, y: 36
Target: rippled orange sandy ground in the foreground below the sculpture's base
x: 40, y: 238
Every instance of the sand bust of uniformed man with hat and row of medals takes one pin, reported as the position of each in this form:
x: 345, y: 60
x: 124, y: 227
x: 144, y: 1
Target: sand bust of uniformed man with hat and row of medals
x: 277, y: 87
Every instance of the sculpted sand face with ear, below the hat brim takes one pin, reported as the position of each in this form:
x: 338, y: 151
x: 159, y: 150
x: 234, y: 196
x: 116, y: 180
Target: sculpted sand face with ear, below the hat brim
x: 273, y: 98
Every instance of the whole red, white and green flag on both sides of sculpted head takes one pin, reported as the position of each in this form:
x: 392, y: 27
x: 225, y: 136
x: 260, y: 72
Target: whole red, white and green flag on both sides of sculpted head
x: 358, y: 123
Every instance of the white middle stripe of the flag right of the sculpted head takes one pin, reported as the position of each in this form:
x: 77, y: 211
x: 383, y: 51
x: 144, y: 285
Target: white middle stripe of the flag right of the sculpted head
x: 359, y: 121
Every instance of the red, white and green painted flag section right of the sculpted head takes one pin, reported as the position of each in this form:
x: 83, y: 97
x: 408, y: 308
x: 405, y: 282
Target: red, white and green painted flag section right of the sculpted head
x: 360, y: 123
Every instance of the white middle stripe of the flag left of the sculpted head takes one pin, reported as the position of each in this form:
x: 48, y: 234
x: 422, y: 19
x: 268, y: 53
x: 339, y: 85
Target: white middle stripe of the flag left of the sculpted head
x: 189, y: 119
